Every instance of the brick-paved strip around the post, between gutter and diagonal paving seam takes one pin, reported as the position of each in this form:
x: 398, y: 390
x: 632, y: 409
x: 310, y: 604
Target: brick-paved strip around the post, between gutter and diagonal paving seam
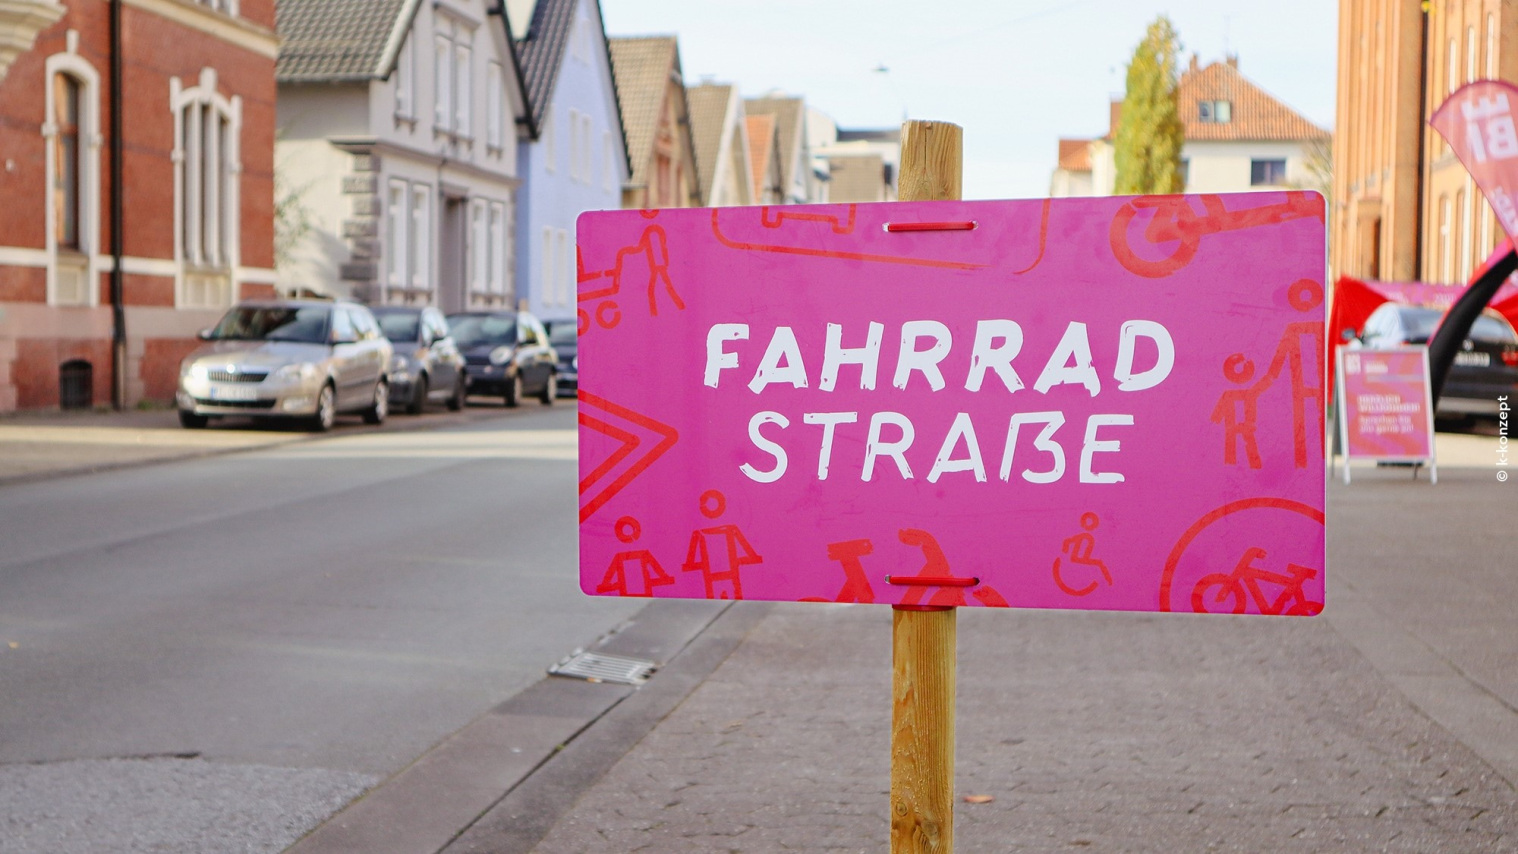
x: 1091, y: 732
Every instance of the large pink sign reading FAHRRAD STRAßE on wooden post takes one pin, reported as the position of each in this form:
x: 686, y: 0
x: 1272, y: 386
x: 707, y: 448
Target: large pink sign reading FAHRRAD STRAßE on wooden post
x: 1103, y: 404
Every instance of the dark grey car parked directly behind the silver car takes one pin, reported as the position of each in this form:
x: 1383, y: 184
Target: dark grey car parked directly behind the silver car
x: 427, y: 365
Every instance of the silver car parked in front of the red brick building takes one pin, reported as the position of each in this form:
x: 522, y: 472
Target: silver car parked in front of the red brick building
x: 306, y: 360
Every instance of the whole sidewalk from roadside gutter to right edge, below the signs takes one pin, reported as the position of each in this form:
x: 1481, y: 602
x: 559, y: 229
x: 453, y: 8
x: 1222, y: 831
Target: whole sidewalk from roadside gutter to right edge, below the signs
x: 1390, y: 724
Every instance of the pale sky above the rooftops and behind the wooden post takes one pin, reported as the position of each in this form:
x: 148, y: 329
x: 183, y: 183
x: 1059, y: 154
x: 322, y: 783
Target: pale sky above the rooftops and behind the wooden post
x: 1018, y: 75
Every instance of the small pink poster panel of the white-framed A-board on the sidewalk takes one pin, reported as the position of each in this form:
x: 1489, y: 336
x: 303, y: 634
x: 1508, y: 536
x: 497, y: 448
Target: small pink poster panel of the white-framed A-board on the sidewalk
x: 1387, y: 413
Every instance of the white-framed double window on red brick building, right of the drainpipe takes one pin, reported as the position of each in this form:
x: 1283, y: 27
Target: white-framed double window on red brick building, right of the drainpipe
x: 207, y: 201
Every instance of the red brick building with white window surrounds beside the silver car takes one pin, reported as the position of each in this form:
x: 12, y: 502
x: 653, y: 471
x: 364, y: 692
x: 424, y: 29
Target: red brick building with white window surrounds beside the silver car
x: 198, y: 115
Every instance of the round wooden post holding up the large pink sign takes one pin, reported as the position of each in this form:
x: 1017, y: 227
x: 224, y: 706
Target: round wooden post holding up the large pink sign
x: 924, y: 639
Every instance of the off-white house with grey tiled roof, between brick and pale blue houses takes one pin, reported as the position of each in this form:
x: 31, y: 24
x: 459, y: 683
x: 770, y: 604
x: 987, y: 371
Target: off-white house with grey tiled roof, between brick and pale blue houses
x: 398, y: 139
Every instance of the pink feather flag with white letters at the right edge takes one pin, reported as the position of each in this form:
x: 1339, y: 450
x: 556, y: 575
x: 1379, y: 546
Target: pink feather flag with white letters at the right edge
x: 1479, y: 124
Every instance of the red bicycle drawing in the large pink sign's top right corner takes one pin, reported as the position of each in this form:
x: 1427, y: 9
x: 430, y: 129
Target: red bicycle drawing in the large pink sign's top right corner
x: 1174, y: 221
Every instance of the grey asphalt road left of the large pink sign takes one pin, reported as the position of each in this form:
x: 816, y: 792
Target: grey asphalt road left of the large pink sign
x: 219, y: 653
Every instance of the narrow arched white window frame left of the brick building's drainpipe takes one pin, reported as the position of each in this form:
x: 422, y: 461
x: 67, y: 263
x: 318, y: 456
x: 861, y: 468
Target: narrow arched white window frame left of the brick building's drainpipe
x: 89, y: 178
